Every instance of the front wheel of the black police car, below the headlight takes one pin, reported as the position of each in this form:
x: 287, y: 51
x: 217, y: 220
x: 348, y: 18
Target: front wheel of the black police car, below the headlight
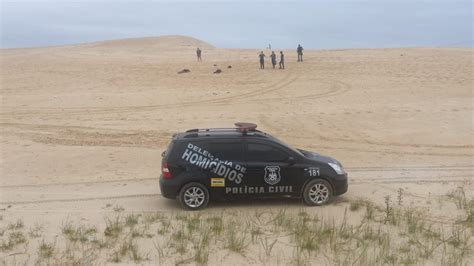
x: 317, y: 192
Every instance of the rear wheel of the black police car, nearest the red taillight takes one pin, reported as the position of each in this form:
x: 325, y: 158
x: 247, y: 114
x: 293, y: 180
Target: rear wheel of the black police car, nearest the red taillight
x: 193, y: 196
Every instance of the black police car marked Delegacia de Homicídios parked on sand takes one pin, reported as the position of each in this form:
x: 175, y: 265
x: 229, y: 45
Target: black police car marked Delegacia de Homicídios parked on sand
x: 242, y: 162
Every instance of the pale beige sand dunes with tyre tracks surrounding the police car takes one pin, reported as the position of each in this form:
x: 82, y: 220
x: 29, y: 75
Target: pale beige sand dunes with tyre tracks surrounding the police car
x: 83, y: 126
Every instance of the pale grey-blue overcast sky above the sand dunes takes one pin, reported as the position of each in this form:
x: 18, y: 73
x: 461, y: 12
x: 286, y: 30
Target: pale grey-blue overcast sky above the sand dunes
x: 242, y: 24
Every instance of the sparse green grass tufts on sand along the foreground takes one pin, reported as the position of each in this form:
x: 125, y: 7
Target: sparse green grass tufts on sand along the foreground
x: 363, y: 234
